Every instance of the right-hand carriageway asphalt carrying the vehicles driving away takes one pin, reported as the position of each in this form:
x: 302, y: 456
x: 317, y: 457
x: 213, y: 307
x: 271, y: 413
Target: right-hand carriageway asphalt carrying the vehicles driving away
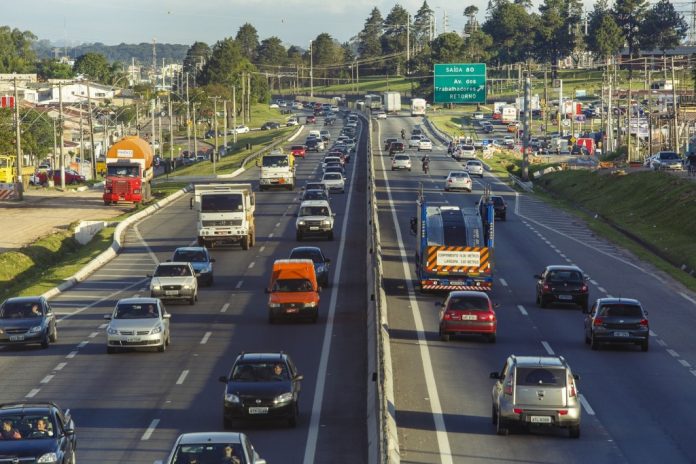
x: 636, y: 406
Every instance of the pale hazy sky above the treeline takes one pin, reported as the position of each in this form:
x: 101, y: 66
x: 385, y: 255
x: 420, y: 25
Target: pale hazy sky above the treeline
x: 295, y: 22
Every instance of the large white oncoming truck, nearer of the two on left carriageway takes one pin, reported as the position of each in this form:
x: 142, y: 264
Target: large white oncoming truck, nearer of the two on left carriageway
x: 225, y: 214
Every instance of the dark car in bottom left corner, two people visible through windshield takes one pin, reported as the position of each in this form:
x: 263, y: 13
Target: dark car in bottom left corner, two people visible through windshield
x: 37, y: 432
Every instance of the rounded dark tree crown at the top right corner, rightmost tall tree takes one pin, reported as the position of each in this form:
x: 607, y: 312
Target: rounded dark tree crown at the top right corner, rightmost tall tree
x: 664, y: 28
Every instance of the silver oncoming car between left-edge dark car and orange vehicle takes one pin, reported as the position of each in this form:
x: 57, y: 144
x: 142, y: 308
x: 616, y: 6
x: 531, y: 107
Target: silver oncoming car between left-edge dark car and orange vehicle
x: 138, y: 323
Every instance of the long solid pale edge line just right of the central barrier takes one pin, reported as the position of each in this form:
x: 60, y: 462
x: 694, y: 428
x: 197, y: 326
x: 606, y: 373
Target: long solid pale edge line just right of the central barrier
x: 444, y: 449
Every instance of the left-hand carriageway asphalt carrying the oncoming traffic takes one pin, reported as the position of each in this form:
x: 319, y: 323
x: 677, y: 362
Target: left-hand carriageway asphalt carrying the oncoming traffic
x: 130, y: 407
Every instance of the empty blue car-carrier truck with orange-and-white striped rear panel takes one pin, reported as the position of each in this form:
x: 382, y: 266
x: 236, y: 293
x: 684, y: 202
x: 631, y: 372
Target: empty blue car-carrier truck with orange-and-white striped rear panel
x: 454, y: 245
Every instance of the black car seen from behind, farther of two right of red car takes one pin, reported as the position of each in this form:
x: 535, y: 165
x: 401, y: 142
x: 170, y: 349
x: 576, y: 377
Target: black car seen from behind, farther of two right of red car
x: 562, y: 284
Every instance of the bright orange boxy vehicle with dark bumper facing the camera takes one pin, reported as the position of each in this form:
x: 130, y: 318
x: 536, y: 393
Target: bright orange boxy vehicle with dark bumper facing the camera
x: 293, y: 290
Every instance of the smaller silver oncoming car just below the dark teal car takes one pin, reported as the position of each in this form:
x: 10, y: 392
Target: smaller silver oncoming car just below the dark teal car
x: 174, y: 281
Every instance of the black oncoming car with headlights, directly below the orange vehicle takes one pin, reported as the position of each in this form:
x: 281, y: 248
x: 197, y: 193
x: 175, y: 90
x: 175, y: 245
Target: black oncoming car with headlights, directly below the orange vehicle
x: 262, y: 386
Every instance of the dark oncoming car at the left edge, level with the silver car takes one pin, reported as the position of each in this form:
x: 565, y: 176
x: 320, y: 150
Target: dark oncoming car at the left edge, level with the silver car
x: 27, y: 320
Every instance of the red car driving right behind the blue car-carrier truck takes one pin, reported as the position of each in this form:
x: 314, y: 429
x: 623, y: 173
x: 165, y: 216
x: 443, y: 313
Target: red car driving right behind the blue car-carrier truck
x: 468, y: 312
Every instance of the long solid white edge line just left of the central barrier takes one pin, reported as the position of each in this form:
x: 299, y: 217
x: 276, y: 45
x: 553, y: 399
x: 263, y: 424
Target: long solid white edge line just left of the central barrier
x: 320, y: 385
